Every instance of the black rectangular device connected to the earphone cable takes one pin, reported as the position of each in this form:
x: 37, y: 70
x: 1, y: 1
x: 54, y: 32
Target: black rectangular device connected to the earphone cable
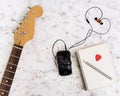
x: 64, y: 62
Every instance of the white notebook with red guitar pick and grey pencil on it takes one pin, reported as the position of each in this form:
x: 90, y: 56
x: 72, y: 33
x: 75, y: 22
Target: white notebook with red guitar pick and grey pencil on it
x: 96, y: 66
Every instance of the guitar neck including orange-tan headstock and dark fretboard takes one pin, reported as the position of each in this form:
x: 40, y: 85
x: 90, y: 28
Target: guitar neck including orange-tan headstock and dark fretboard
x: 22, y: 35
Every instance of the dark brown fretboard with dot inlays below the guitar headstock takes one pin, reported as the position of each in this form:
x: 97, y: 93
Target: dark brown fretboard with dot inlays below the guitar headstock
x: 10, y: 70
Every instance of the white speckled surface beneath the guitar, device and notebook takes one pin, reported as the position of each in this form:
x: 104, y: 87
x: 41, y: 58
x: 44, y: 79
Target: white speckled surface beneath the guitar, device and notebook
x: 37, y: 74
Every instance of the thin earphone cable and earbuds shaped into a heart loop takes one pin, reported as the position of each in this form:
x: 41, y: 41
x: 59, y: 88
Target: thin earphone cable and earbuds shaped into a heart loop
x: 92, y: 29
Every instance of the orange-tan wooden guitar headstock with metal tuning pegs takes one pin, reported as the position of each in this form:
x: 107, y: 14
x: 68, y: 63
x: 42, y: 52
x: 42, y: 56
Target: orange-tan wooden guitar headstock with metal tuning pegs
x: 25, y: 31
